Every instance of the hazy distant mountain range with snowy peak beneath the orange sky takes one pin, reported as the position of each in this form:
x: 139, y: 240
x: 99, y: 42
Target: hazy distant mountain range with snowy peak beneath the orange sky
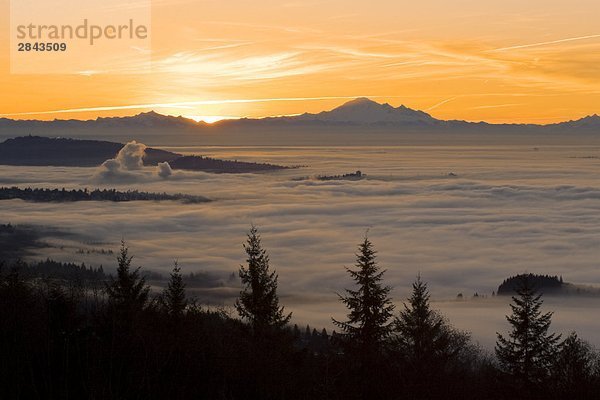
x: 359, y: 115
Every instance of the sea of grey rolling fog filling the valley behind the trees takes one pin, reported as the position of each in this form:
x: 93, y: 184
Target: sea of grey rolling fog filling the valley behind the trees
x: 464, y: 218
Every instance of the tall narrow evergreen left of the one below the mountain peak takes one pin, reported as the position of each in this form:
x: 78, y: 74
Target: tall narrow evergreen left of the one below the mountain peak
x: 258, y: 302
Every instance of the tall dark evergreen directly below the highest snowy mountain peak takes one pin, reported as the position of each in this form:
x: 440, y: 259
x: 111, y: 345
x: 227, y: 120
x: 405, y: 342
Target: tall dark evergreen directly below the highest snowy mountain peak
x: 370, y: 307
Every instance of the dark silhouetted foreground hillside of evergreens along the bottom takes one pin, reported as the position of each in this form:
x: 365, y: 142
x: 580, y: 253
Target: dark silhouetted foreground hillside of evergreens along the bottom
x: 123, y: 341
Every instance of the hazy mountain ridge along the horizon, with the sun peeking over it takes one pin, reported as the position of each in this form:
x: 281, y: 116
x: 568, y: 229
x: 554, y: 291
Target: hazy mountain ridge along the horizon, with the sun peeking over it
x: 360, y: 121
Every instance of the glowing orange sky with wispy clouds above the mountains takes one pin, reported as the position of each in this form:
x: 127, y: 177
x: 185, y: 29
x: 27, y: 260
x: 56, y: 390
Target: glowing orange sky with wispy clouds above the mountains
x: 536, y: 61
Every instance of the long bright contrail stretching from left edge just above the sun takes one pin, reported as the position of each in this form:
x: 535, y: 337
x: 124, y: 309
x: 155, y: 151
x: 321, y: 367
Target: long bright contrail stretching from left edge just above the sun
x: 184, y: 104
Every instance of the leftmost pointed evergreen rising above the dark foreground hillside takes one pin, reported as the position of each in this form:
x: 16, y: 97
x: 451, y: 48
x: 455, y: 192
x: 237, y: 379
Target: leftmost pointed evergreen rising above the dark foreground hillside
x: 128, y: 292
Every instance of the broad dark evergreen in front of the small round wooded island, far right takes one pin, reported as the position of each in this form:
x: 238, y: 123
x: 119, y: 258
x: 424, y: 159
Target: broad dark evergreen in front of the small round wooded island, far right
x: 527, y: 353
